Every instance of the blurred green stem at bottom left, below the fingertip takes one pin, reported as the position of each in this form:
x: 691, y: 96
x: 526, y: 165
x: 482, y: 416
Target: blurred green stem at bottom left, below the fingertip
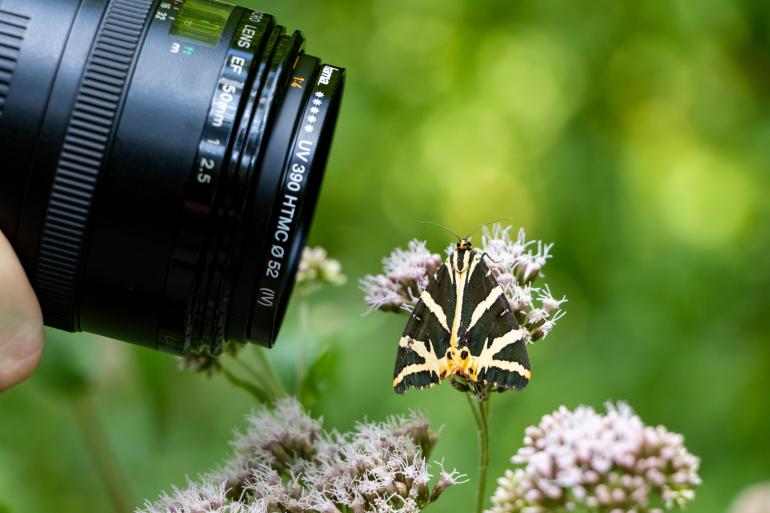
x: 103, y: 458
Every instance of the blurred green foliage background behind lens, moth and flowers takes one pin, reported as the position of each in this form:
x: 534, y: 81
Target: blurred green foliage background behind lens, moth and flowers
x: 634, y: 135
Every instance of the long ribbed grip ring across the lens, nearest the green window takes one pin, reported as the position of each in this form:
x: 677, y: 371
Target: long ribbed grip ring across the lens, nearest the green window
x: 86, y: 144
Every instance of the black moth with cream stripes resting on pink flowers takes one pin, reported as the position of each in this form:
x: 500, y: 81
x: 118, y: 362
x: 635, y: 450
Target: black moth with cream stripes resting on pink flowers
x: 462, y: 327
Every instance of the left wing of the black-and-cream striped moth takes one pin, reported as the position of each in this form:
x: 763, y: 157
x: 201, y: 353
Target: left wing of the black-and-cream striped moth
x: 422, y: 348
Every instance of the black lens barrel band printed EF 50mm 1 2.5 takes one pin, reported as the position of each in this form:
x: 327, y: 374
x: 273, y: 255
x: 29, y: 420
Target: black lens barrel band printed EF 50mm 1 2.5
x: 194, y: 297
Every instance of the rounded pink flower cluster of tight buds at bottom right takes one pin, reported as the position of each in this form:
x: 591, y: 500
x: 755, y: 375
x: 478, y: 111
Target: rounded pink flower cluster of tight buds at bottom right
x: 612, y: 462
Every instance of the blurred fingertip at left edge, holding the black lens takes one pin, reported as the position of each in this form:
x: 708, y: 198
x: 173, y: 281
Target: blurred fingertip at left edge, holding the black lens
x: 21, y: 322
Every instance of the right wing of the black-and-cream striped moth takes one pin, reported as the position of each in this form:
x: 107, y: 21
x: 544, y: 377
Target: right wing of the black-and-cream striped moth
x: 491, y: 333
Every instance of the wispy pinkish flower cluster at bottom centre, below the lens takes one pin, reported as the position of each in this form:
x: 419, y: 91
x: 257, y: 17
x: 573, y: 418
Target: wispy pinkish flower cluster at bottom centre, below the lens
x: 285, y: 462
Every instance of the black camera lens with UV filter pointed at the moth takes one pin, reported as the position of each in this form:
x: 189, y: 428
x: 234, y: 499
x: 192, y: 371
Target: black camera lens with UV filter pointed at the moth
x: 161, y: 163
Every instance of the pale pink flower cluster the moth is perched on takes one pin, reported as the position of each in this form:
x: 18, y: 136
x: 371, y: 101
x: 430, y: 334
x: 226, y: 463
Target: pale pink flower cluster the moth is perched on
x: 515, y: 263
